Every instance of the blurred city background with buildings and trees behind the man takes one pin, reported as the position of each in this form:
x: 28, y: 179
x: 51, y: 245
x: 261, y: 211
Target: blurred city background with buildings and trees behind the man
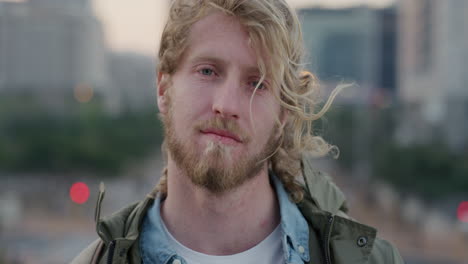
x: 77, y: 104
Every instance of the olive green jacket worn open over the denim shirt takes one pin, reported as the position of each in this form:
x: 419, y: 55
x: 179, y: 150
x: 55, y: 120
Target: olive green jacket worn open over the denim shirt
x: 336, y: 238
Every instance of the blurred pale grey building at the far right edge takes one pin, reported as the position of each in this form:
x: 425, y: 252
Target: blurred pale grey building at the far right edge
x: 433, y: 71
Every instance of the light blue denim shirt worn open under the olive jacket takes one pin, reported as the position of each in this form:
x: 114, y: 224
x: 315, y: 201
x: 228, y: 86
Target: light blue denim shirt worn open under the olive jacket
x: 156, y: 249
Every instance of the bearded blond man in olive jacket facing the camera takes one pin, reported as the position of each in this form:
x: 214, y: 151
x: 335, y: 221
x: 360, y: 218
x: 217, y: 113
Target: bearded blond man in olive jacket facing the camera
x: 237, y: 109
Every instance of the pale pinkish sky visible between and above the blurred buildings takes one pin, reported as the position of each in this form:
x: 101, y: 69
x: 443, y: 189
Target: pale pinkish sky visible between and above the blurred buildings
x: 136, y: 26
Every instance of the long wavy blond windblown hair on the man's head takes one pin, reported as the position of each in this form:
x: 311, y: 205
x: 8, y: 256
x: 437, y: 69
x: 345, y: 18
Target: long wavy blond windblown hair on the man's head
x: 274, y: 30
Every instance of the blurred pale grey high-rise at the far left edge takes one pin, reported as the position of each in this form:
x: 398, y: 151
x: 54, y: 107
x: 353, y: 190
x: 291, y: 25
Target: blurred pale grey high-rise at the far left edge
x: 50, y: 47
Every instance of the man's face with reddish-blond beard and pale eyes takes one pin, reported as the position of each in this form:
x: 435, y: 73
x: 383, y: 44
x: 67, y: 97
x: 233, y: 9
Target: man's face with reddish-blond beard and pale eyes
x: 210, y: 133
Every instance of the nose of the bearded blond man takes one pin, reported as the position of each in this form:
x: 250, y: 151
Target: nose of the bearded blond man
x: 227, y: 99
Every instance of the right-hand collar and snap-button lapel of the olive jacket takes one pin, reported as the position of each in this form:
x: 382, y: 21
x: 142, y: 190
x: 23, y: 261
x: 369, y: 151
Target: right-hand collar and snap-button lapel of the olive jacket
x: 324, y: 207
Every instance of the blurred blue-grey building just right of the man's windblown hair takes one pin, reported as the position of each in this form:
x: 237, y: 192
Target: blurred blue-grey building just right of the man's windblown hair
x: 355, y: 44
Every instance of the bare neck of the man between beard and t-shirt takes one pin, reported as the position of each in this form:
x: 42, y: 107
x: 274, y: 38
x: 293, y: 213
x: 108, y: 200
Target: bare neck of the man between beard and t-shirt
x: 219, y: 224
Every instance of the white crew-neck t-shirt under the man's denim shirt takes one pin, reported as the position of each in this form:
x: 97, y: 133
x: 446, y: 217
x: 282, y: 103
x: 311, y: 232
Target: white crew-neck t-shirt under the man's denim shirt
x: 267, y: 251
